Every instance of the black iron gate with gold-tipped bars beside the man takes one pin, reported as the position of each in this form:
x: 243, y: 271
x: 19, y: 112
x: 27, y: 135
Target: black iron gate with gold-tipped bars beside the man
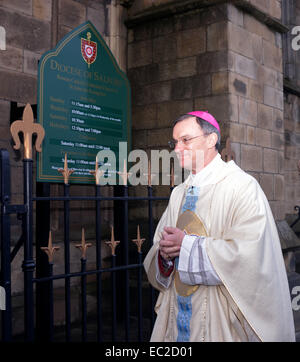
x: 126, y: 323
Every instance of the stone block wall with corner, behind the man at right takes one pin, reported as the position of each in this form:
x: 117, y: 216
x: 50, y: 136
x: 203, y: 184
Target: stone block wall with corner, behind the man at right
x: 221, y: 58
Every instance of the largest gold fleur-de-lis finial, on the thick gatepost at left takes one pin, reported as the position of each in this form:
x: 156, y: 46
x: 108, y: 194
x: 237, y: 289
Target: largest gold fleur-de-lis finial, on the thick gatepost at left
x: 28, y: 128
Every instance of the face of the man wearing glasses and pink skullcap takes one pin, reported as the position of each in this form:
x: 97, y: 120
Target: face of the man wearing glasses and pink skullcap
x: 192, y: 146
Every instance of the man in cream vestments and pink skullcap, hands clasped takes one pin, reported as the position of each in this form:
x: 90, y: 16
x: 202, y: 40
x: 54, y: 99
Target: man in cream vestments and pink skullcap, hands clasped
x: 216, y: 257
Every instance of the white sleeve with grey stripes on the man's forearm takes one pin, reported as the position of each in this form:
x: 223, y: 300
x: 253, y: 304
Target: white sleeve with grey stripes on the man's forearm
x: 194, y: 265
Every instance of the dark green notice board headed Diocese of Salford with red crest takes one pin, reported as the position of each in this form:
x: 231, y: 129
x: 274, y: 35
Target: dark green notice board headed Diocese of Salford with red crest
x: 83, y: 105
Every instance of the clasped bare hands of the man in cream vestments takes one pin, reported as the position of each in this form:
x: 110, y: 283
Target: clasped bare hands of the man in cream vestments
x: 170, y: 243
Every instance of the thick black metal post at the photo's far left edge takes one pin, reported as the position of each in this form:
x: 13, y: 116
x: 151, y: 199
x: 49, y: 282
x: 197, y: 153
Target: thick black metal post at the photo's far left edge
x: 5, y: 275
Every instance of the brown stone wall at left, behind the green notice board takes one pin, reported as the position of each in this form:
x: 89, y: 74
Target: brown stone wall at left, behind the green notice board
x: 32, y: 28
